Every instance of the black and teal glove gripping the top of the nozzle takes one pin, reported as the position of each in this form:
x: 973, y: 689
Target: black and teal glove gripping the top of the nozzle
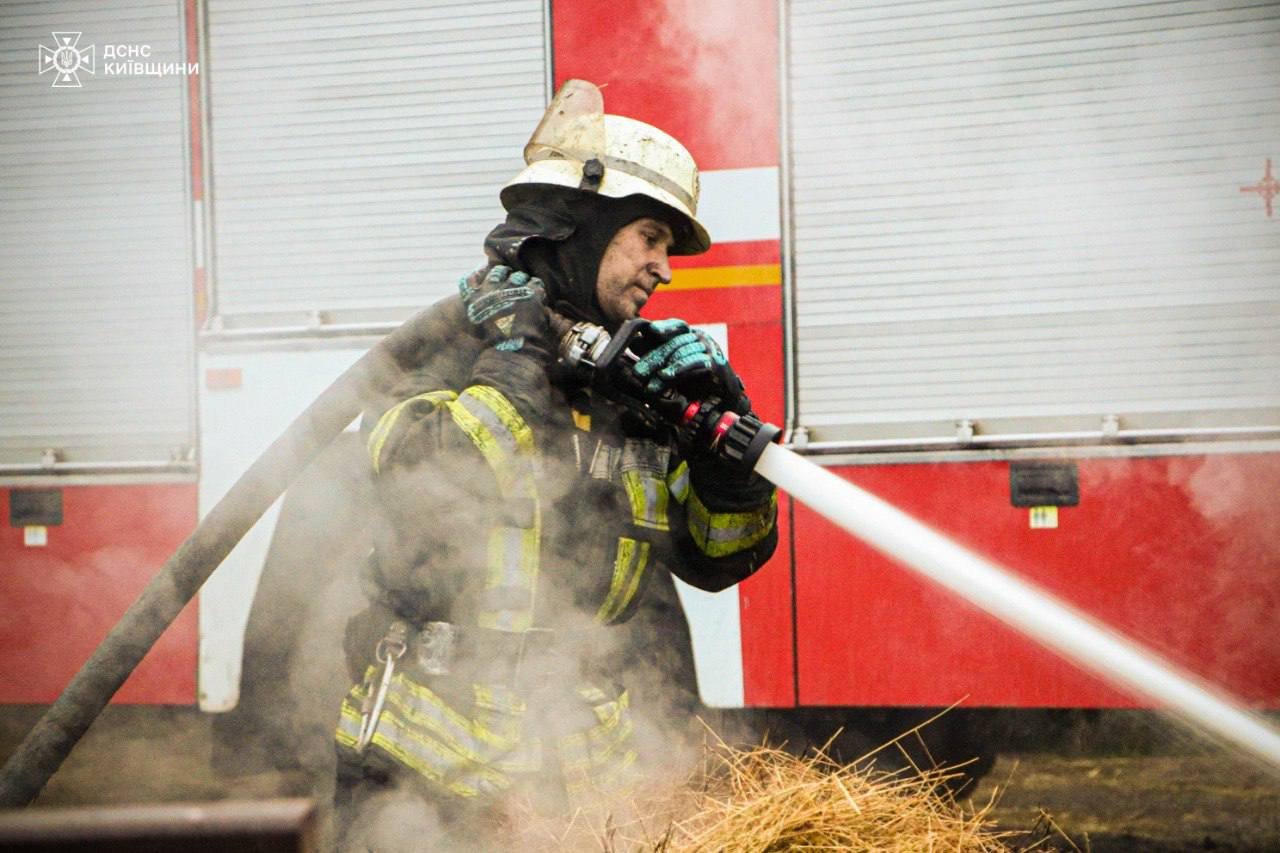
x: 691, y: 363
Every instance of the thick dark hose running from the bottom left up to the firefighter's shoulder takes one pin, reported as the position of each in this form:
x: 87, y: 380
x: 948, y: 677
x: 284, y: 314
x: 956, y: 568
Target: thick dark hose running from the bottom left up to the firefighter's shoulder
x: 65, y: 723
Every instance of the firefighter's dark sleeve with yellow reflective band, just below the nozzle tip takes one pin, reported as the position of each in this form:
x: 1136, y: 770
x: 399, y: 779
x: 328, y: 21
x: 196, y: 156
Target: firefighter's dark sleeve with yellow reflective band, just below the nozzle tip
x: 724, y: 523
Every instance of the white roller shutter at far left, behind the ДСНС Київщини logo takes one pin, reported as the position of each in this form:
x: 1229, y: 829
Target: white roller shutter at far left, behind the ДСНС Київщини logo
x: 97, y: 330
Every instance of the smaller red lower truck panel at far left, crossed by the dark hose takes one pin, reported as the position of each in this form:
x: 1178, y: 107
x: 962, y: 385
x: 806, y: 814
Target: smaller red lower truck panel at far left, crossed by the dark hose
x: 62, y: 599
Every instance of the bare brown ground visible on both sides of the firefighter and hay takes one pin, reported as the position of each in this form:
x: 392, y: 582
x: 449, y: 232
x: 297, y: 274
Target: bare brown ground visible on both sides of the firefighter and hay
x: 1182, y: 797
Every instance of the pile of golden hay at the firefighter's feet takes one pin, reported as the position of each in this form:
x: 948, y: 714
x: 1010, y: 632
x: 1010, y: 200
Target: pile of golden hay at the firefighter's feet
x: 766, y: 800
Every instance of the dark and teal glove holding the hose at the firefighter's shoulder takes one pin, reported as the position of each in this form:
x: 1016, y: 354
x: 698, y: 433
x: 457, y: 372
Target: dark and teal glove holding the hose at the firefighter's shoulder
x: 508, y: 307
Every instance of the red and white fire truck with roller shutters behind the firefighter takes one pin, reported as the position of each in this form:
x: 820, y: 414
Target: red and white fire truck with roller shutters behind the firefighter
x: 1011, y: 267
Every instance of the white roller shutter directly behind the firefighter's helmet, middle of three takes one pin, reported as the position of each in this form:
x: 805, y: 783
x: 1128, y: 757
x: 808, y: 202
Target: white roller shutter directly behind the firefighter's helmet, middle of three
x: 359, y: 148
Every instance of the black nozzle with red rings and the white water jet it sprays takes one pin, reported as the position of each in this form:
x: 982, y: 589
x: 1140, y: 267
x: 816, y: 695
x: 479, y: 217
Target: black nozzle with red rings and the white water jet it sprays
x: 1035, y: 613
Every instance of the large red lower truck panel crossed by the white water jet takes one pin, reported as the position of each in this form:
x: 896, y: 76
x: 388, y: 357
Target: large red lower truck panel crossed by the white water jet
x: 1182, y: 554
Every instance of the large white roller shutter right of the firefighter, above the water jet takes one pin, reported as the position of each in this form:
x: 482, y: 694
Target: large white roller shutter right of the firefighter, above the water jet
x: 1030, y: 216
